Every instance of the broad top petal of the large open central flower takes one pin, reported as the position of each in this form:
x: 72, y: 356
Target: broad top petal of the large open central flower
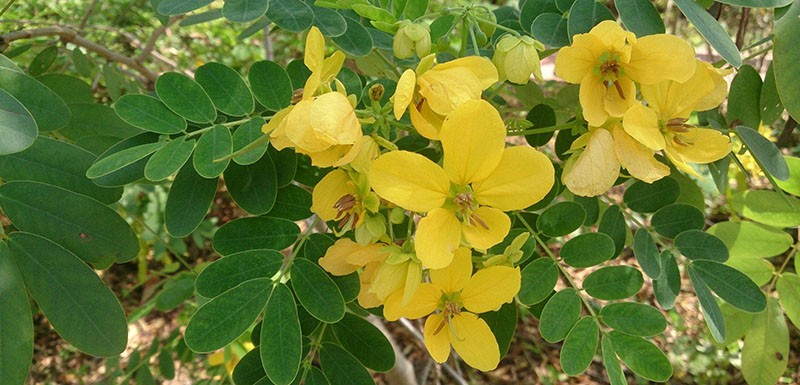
x: 473, y: 137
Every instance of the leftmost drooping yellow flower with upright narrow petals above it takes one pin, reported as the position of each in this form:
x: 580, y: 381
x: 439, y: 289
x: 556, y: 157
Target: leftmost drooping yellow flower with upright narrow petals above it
x: 323, y: 123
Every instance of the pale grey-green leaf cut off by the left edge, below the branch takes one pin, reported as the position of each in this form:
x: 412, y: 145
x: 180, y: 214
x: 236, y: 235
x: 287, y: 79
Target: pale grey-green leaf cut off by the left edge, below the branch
x: 17, y: 126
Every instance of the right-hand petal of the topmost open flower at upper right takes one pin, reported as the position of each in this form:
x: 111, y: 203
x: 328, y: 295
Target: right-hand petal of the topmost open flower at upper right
x: 660, y: 57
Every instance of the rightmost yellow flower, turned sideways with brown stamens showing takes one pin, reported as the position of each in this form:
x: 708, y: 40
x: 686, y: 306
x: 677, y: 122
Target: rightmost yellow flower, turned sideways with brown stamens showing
x: 661, y: 125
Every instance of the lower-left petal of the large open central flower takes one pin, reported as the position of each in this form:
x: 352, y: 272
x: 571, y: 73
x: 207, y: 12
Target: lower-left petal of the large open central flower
x: 438, y: 235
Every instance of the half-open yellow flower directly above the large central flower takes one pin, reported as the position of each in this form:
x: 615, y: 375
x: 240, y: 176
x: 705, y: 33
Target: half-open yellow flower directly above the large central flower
x: 434, y: 90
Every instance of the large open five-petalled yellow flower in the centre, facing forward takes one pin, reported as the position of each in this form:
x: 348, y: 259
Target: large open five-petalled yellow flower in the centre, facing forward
x: 480, y: 179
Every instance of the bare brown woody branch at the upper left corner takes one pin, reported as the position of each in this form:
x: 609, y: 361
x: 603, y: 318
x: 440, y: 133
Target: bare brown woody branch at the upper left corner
x: 71, y: 36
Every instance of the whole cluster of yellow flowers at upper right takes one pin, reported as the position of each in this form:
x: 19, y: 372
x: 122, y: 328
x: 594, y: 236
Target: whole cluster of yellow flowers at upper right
x: 609, y: 63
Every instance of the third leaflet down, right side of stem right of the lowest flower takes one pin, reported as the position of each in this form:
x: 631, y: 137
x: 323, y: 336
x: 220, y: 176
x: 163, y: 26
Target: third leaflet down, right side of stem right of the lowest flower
x: 613, y: 282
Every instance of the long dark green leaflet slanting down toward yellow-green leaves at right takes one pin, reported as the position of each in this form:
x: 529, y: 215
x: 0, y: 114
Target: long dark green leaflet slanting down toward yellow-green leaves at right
x: 731, y: 285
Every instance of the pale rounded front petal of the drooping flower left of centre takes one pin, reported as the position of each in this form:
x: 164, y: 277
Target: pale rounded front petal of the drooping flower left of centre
x: 334, y: 120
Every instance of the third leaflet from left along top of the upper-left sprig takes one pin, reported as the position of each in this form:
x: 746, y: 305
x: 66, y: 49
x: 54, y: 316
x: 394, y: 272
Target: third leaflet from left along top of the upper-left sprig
x: 225, y: 87
